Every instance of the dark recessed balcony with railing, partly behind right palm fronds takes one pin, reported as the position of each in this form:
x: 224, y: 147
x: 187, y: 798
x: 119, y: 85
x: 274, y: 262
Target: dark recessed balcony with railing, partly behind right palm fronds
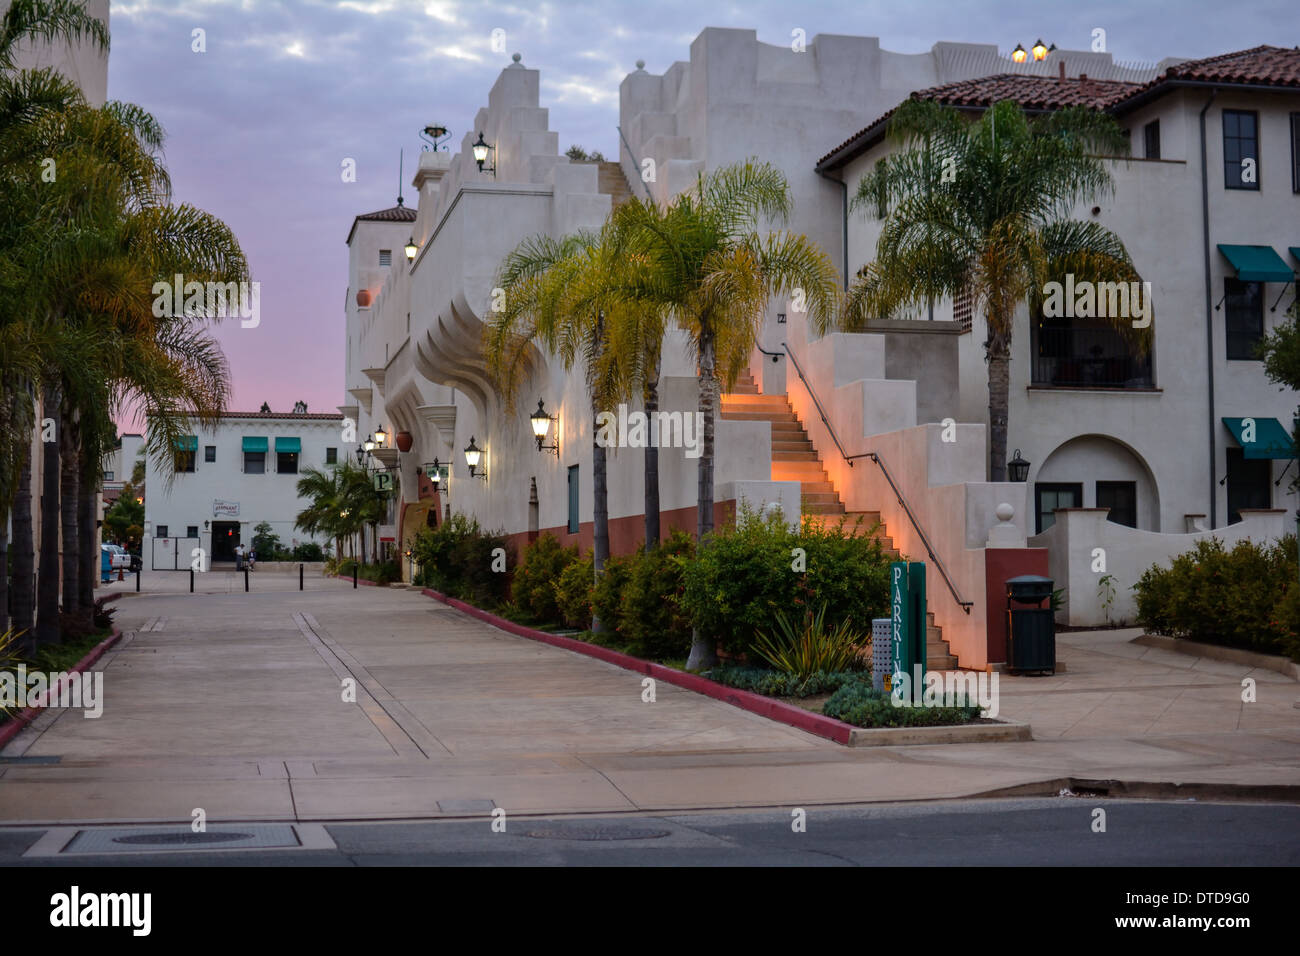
x: 1087, y: 357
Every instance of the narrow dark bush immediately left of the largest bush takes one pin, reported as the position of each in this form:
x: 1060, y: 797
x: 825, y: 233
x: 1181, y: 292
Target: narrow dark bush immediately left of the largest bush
x: 651, y: 617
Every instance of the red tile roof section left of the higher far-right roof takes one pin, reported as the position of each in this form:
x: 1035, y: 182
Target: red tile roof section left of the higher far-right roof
x: 1034, y: 93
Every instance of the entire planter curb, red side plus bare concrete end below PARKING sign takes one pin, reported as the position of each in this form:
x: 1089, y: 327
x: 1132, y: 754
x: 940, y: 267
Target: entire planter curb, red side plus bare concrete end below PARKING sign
x: 790, y: 715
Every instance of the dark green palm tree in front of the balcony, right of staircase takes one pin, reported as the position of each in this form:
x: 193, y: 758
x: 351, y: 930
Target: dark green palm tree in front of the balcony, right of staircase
x: 982, y: 210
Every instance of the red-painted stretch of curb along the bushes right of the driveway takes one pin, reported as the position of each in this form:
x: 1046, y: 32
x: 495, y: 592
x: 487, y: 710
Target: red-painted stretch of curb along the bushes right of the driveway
x: 822, y: 726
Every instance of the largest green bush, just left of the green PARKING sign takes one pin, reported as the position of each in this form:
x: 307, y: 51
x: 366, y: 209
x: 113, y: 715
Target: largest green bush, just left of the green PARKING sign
x: 748, y: 573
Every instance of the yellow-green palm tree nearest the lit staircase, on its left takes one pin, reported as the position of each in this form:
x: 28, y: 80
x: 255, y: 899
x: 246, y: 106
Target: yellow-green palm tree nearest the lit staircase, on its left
x: 712, y: 266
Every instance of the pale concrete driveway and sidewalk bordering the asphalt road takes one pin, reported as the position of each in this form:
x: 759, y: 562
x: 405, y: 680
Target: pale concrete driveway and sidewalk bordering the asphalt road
x: 235, y: 704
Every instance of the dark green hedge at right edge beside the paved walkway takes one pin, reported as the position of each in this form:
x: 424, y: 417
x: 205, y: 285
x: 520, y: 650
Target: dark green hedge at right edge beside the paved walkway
x: 1245, y: 598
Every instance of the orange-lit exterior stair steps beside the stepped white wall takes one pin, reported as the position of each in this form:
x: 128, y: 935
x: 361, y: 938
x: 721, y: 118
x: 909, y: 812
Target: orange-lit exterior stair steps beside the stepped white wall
x: 795, y: 460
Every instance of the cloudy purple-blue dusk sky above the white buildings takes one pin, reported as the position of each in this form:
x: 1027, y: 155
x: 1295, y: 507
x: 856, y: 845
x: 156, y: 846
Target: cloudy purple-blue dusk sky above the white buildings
x: 261, y: 123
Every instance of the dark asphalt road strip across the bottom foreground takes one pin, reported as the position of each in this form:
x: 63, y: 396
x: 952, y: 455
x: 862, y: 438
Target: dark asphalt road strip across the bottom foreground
x: 974, y: 833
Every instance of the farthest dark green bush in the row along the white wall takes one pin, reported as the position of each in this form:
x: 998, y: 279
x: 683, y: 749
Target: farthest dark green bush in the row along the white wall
x: 457, y: 559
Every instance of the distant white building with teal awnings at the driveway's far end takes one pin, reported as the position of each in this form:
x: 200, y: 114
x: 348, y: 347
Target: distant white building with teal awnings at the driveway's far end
x: 232, y: 478
